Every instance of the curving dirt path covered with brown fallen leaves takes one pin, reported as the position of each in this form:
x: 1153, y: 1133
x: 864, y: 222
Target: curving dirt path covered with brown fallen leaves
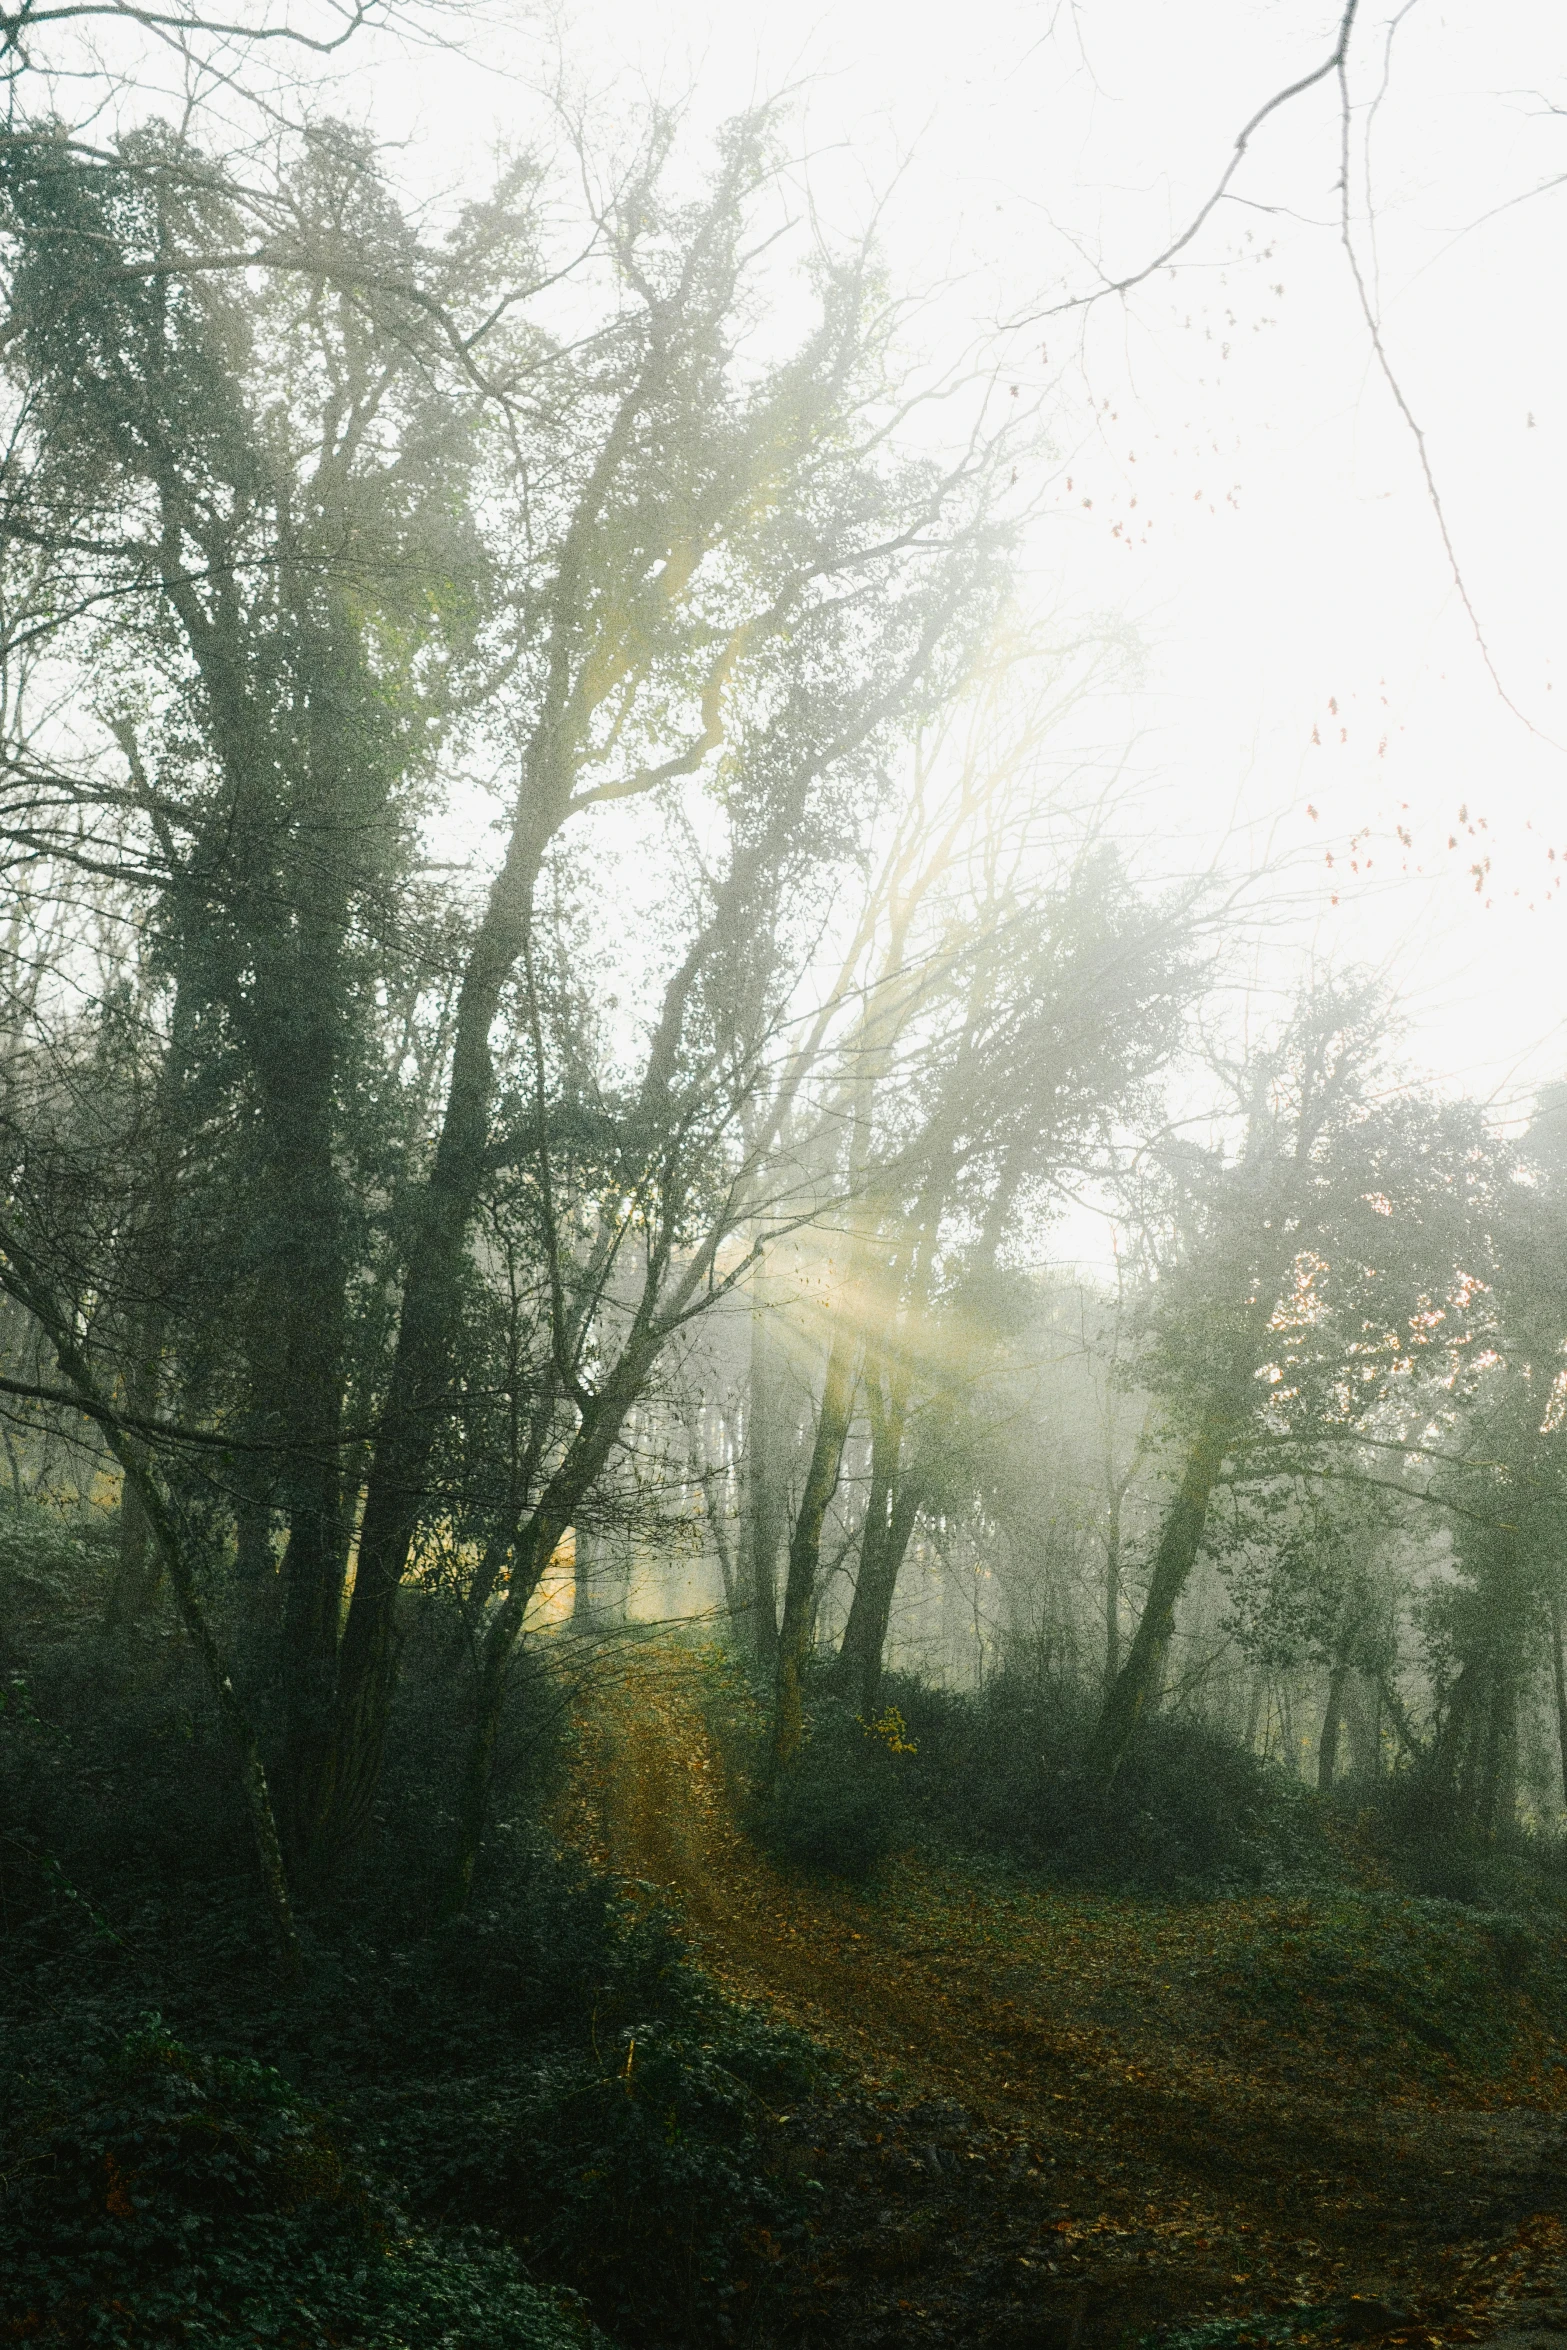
x: 1164, y: 2147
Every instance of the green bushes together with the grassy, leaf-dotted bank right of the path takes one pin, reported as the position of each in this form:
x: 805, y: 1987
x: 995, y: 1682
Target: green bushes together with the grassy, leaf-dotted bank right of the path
x: 1206, y: 1876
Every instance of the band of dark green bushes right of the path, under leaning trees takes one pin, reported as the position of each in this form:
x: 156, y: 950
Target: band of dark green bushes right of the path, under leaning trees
x: 995, y: 1778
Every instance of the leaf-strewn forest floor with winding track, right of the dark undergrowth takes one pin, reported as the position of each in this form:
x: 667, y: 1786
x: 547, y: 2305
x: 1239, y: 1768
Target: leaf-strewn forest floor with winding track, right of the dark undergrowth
x: 1075, y: 2119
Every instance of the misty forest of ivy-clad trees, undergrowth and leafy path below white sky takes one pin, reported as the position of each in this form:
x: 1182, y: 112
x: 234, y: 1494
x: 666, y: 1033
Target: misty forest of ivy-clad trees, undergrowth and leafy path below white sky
x: 628, y: 1712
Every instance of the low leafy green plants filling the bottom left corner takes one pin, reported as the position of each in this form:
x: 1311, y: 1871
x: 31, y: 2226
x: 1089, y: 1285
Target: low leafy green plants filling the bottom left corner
x: 156, y: 2196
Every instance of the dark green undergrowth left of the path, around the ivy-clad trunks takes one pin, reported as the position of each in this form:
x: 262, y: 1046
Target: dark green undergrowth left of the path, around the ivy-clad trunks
x: 445, y: 2135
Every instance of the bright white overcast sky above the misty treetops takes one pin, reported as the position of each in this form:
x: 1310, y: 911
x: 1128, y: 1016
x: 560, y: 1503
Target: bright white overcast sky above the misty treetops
x: 1305, y: 643
